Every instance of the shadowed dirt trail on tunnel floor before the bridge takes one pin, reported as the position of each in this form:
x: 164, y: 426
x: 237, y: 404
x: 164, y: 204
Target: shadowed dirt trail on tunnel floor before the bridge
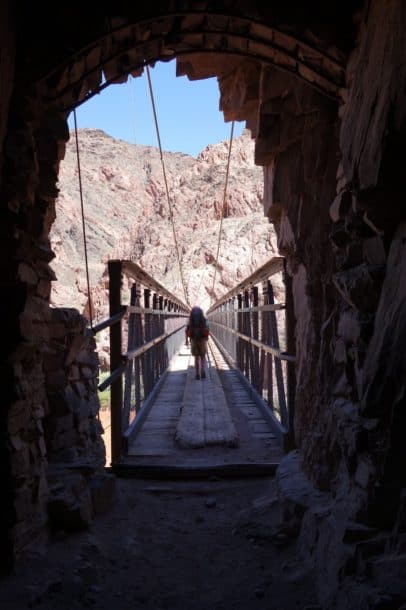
x: 201, y: 545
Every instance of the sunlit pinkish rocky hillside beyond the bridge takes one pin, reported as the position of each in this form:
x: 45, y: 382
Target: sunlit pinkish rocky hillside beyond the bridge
x: 127, y: 216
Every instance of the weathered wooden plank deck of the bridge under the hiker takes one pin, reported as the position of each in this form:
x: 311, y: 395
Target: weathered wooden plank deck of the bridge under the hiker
x: 212, y: 405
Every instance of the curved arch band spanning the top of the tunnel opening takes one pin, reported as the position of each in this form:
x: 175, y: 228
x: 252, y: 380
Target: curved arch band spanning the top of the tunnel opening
x: 124, y: 47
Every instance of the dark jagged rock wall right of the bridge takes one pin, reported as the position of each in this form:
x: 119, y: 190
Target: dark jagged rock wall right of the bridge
x: 334, y: 188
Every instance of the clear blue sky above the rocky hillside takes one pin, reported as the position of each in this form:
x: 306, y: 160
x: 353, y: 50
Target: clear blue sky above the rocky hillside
x: 188, y: 111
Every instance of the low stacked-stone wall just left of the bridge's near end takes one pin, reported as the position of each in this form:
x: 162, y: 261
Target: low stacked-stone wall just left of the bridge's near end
x: 78, y: 486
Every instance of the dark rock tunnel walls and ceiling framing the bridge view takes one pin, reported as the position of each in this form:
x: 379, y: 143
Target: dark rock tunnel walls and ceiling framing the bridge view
x: 321, y: 87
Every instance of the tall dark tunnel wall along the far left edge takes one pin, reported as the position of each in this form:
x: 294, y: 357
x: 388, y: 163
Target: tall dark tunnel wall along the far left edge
x: 33, y: 147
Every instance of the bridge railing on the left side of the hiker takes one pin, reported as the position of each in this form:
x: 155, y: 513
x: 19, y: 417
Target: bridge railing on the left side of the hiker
x: 152, y: 328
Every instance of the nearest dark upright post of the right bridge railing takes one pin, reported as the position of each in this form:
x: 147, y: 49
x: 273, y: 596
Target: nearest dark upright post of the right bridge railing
x: 291, y: 349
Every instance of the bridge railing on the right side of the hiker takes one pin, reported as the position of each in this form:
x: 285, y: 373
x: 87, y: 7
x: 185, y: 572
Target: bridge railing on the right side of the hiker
x: 257, y: 336
